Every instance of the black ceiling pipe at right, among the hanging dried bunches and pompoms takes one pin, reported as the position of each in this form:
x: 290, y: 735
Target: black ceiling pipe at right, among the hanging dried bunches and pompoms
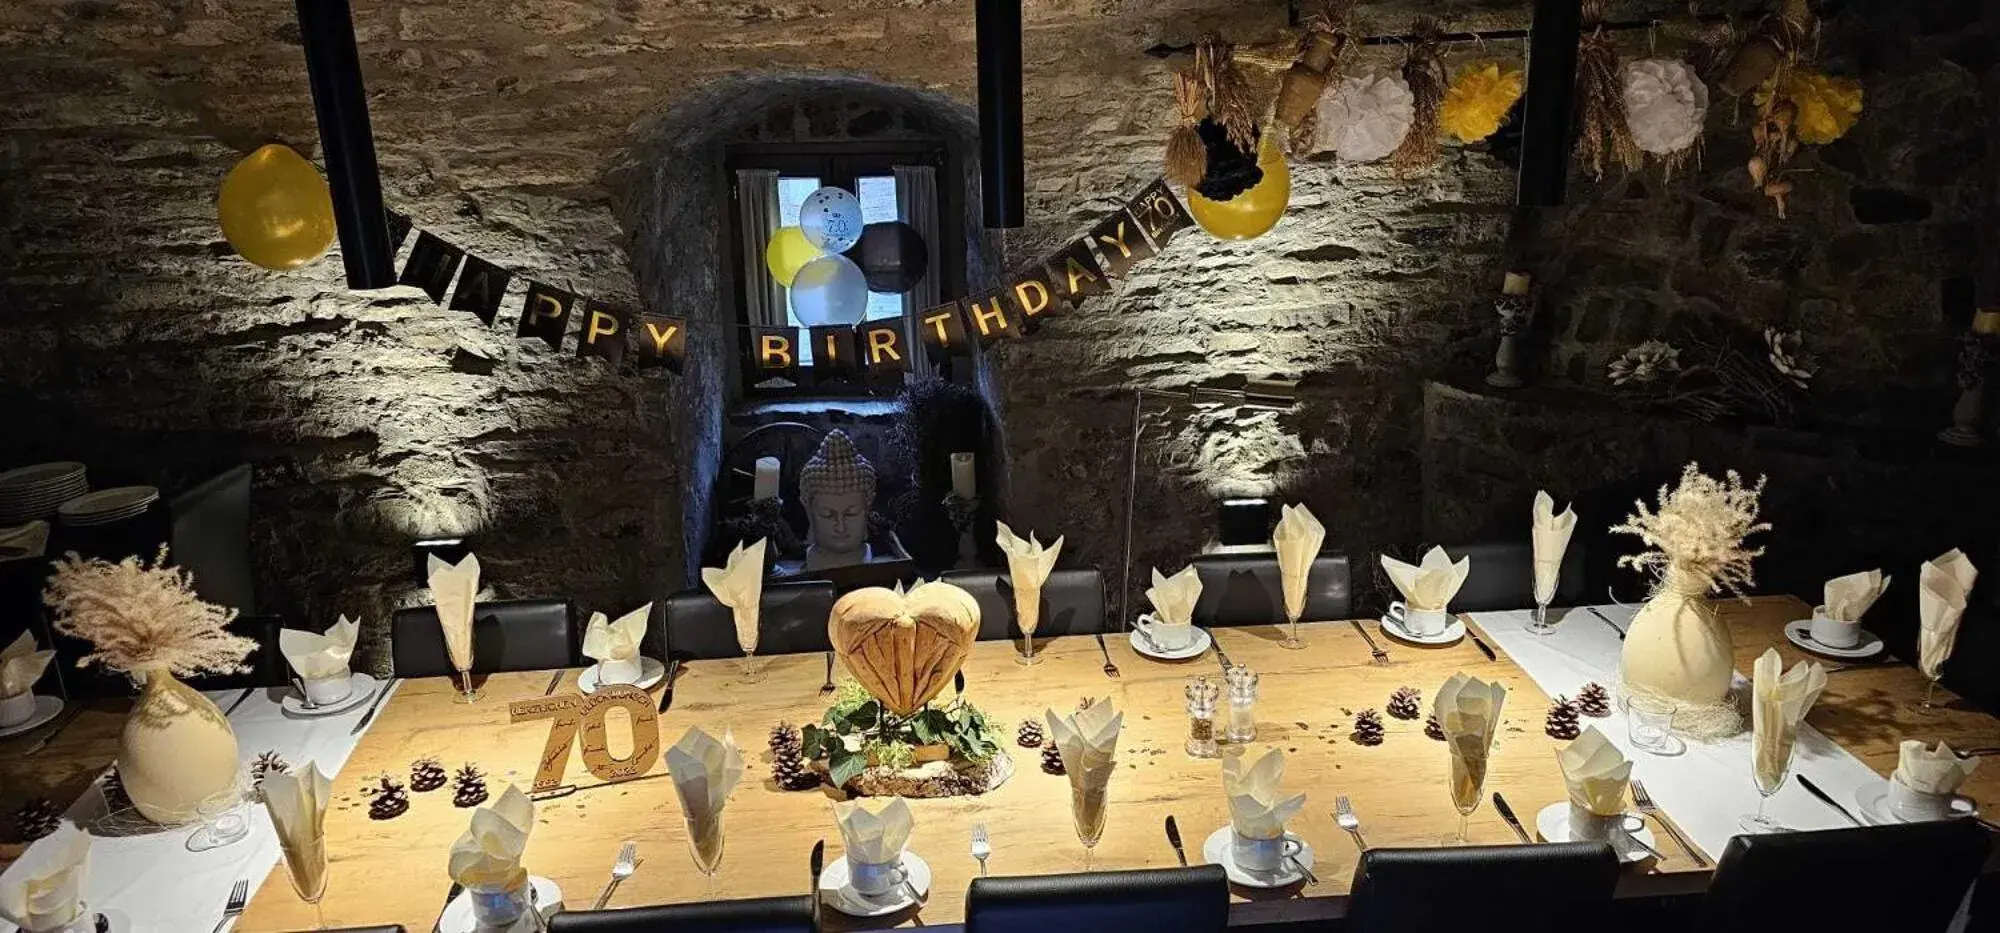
x: 1549, y: 103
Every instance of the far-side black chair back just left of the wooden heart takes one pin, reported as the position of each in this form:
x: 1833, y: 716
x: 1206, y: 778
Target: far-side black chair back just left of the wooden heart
x: 791, y: 622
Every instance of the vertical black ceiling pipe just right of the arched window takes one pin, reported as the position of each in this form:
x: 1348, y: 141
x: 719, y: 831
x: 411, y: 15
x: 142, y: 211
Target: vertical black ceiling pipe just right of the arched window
x: 1003, y: 173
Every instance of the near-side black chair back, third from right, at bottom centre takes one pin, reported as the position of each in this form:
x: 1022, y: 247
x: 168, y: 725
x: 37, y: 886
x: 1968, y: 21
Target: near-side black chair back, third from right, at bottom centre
x: 1153, y: 902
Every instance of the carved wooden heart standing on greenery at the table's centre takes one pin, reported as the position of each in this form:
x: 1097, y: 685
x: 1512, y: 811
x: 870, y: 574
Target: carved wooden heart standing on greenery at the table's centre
x: 905, y: 648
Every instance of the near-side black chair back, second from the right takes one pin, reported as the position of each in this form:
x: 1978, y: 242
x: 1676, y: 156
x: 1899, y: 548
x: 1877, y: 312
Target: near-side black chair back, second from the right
x: 1527, y: 888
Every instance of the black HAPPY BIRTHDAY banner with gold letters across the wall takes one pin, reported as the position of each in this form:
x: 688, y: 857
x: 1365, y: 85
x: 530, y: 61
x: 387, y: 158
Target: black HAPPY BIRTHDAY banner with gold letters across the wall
x: 867, y: 351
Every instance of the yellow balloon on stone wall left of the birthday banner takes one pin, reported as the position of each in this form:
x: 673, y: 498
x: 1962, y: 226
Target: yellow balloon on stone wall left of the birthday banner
x: 275, y: 209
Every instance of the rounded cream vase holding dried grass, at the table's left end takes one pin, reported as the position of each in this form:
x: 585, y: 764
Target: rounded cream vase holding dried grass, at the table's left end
x: 177, y: 750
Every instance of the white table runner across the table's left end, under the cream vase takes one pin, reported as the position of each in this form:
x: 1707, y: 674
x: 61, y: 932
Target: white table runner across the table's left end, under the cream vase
x: 155, y: 882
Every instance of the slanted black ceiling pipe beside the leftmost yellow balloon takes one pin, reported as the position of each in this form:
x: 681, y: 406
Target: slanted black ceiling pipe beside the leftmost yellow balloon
x: 335, y: 69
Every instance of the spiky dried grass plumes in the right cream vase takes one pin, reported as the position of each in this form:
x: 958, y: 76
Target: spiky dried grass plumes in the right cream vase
x: 1699, y: 532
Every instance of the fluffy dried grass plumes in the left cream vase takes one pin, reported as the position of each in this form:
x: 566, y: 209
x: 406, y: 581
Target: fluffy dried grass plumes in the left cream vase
x: 145, y: 616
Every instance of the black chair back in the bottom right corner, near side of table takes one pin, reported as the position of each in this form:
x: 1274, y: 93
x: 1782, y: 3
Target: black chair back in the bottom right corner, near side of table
x: 1905, y: 878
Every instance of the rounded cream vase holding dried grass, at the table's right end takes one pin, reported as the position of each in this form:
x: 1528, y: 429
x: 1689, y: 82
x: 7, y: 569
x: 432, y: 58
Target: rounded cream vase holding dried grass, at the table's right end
x: 1677, y: 646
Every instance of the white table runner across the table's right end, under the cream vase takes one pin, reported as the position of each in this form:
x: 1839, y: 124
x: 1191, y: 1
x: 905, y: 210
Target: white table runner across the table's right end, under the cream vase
x: 1709, y: 788
